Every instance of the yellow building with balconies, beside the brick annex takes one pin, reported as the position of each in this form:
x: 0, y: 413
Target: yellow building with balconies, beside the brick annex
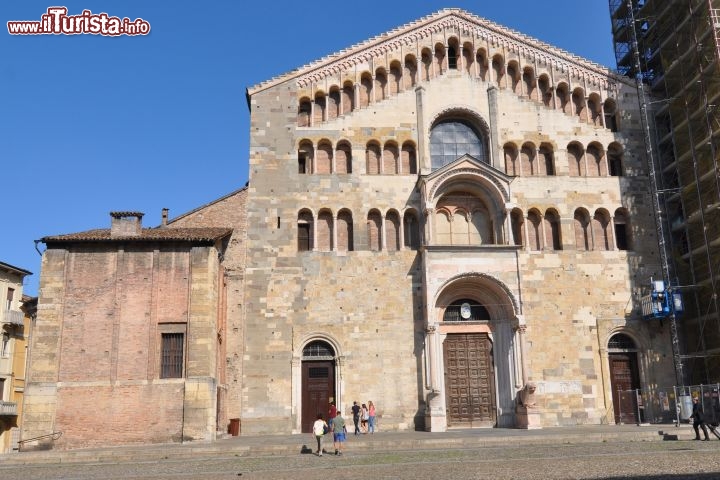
x: 16, y: 317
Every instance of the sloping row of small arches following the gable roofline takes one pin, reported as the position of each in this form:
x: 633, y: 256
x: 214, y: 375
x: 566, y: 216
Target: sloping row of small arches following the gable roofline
x: 373, y: 87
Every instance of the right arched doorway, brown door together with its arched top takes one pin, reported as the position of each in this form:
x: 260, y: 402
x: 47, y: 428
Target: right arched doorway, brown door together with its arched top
x: 625, y: 379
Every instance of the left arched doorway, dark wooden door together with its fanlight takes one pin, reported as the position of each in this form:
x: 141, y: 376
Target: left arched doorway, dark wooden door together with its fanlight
x: 318, y: 381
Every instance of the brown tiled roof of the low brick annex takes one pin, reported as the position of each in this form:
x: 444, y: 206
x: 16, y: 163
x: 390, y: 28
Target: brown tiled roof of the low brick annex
x: 208, y: 234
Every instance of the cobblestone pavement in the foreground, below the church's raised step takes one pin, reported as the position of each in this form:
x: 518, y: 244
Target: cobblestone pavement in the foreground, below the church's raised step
x: 684, y: 459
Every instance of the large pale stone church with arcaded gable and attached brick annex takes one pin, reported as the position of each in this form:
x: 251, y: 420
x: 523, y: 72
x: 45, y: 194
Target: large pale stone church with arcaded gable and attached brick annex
x: 437, y: 219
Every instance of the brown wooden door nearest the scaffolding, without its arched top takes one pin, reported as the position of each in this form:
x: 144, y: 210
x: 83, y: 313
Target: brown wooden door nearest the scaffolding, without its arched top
x: 624, y: 382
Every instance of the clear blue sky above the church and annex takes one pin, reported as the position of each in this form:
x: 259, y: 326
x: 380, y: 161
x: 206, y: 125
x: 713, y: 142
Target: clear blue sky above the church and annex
x: 91, y: 124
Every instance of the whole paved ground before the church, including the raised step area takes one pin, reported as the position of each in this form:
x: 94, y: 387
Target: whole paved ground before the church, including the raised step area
x: 599, y: 452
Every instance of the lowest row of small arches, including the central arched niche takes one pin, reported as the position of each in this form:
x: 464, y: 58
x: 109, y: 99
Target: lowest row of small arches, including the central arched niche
x: 393, y: 230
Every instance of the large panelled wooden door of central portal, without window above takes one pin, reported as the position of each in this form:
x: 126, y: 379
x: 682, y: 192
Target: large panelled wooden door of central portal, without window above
x: 469, y: 380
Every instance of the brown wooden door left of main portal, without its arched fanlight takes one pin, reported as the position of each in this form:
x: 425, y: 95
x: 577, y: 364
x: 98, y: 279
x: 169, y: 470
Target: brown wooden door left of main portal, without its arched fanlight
x: 318, y: 386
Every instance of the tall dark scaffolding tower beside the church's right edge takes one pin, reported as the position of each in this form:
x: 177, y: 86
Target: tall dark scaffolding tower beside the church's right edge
x: 672, y: 49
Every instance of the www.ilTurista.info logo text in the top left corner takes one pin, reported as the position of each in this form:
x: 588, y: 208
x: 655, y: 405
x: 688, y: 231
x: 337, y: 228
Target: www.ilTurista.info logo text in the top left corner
x: 57, y: 22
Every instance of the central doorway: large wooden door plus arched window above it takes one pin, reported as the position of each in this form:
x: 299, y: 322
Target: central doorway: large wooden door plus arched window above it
x: 469, y: 367
